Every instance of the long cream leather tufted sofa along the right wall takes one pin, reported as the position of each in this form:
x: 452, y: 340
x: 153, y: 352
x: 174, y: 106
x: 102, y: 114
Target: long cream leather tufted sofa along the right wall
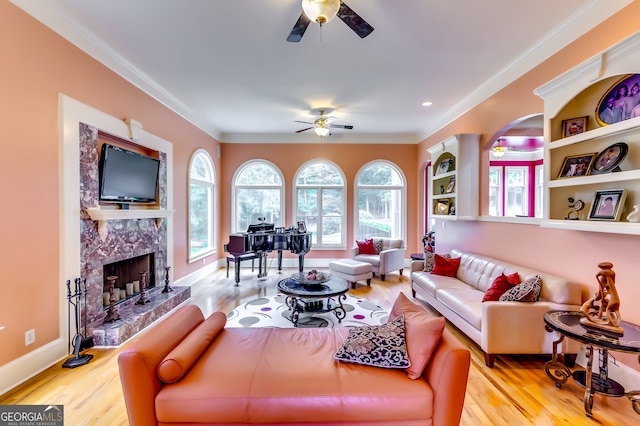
x: 498, y: 327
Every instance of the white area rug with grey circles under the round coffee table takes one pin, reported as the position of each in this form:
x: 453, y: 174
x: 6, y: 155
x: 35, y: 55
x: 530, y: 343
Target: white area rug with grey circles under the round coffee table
x: 273, y: 312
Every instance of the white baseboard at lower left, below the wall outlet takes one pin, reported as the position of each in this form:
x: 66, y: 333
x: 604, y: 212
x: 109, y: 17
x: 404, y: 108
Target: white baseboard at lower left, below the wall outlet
x: 22, y: 369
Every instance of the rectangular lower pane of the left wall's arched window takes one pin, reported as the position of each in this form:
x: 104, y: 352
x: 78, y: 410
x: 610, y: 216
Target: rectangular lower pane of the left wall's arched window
x: 199, y: 223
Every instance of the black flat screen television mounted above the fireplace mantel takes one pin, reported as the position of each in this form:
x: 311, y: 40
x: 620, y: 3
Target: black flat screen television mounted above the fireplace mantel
x: 127, y: 177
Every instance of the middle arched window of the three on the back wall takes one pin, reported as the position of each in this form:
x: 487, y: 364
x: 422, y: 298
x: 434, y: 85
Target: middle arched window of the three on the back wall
x: 320, y: 202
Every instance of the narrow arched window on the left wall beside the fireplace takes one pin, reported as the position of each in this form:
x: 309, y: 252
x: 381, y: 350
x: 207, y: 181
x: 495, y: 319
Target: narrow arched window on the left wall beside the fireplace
x: 201, y: 208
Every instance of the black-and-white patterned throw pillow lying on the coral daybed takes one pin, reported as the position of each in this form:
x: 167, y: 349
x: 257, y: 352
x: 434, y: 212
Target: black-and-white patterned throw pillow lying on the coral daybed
x: 377, y: 345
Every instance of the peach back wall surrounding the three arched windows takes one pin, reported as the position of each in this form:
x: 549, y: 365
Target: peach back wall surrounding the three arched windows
x: 350, y: 158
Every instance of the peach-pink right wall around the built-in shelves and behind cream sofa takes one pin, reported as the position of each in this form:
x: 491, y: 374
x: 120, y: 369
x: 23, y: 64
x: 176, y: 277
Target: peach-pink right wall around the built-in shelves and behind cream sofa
x: 570, y: 254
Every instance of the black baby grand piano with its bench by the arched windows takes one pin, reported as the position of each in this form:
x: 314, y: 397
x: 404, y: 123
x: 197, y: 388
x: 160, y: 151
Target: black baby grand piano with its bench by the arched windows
x: 262, y: 238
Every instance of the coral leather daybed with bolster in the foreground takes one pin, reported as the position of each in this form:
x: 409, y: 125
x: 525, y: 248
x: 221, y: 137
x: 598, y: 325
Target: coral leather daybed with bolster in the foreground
x: 241, y: 376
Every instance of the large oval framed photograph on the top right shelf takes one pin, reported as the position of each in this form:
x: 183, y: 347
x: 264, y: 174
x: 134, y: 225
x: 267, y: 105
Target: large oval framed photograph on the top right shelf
x: 620, y: 101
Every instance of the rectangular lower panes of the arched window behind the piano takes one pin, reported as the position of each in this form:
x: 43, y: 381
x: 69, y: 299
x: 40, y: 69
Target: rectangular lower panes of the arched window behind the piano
x: 255, y: 203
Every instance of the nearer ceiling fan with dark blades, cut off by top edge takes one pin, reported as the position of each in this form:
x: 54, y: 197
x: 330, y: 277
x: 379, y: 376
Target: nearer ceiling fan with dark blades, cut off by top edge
x: 321, y: 12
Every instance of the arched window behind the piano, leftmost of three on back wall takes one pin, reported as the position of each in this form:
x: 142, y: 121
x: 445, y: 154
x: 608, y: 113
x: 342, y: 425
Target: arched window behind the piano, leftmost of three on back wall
x: 258, y: 192
